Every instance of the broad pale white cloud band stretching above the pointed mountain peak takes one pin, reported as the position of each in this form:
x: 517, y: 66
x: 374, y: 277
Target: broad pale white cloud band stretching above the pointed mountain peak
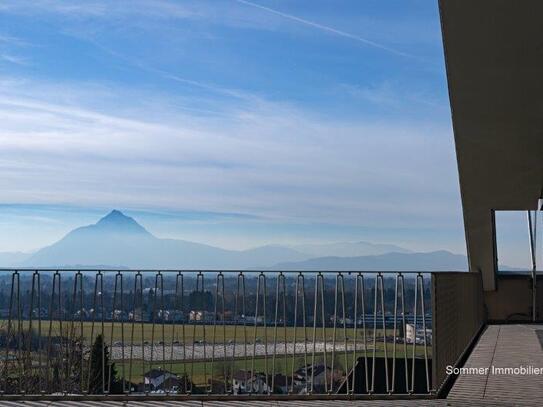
x: 273, y: 160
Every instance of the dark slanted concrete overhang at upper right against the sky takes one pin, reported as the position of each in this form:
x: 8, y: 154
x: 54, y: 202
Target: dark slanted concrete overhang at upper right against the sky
x: 494, y: 59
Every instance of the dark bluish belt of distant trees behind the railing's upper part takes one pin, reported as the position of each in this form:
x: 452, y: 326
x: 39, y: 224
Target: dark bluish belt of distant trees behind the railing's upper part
x: 150, y: 303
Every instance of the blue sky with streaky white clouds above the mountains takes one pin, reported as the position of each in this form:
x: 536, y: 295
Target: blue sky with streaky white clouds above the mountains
x: 235, y: 123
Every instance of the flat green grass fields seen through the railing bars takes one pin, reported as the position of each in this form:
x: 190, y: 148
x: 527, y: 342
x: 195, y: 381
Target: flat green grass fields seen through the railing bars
x: 200, y: 371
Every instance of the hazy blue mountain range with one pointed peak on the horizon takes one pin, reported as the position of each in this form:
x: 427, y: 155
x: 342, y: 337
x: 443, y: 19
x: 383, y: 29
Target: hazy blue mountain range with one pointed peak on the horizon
x: 118, y: 241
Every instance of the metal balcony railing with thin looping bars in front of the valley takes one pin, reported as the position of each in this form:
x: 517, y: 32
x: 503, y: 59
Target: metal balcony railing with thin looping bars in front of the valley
x: 216, y: 334
